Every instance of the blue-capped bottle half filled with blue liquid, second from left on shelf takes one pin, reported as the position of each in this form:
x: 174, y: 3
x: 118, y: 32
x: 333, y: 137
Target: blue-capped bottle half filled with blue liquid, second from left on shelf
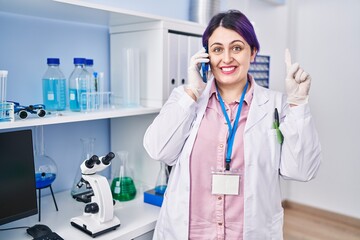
x: 79, y: 85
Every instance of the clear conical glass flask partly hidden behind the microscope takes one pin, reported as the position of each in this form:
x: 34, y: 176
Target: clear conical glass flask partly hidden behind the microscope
x: 82, y: 192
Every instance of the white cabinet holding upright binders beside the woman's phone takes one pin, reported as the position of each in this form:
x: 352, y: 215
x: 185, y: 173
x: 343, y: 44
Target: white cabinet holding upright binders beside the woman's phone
x: 165, y: 47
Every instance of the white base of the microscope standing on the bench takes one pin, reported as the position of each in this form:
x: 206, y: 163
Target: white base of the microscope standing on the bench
x: 92, y: 227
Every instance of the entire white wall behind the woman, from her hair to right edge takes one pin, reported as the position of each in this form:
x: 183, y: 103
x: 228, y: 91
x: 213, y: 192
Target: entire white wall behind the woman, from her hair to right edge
x: 324, y: 37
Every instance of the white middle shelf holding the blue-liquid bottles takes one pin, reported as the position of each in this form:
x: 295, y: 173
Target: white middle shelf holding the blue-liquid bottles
x: 69, y: 117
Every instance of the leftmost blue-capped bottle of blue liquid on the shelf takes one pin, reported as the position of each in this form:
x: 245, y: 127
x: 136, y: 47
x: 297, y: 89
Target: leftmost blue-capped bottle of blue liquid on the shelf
x: 54, y: 86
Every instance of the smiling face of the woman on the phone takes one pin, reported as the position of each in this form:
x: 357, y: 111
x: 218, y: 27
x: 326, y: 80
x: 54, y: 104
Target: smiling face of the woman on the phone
x: 230, y: 56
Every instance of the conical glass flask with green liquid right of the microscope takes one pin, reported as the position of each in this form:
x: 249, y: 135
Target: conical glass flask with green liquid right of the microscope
x: 122, y: 186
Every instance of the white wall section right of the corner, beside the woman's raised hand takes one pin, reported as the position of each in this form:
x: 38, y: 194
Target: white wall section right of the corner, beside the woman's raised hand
x: 327, y: 44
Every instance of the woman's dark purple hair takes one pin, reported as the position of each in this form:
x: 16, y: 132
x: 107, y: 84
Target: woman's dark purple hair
x: 236, y: 21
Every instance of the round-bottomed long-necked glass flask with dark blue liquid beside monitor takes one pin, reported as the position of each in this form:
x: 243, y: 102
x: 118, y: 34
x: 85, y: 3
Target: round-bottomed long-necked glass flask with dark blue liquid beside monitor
x: 45, y: 167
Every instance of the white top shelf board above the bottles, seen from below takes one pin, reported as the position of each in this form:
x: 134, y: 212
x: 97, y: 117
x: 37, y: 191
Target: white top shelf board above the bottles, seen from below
x: 82, y: 11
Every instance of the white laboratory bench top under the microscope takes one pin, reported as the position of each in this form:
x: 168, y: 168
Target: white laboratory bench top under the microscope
x: 137, y: 219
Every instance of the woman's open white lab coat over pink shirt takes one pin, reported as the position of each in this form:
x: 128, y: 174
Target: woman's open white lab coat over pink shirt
x: 171, y: 136
